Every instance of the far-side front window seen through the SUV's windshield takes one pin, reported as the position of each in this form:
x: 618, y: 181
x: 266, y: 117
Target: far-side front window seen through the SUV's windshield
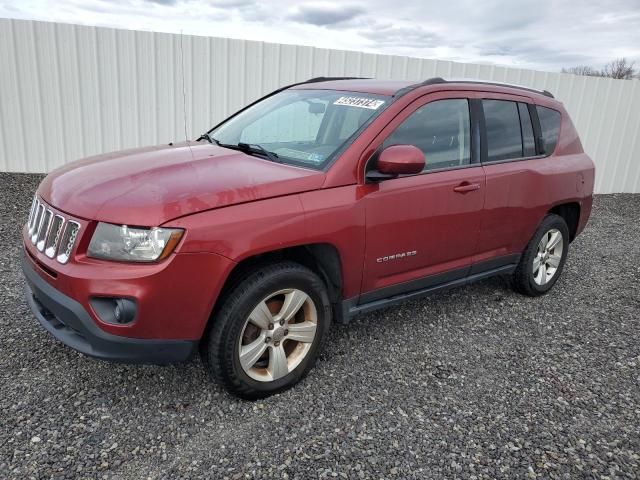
x: 289, y: 123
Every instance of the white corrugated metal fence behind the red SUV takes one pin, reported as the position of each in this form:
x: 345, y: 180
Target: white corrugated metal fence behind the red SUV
x: 69, y: 91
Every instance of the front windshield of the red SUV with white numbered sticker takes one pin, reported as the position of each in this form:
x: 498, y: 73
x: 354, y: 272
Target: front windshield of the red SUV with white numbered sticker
x: 301, y: 127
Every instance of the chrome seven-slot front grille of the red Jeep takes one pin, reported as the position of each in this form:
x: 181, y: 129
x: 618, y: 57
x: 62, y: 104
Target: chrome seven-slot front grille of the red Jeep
x: 51, y: 232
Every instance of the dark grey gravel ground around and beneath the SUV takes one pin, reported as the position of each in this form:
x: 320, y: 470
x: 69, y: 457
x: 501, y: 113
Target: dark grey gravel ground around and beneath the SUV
x: 478, y: 382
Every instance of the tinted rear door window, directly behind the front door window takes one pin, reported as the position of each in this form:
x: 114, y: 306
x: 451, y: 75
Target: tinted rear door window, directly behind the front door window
x: 504, y: 139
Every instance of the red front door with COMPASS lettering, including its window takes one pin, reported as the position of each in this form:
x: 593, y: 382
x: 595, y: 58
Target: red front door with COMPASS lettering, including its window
x: 422, y: 229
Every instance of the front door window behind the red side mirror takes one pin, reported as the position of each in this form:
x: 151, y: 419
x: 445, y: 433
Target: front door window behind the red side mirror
x: 441, y: 130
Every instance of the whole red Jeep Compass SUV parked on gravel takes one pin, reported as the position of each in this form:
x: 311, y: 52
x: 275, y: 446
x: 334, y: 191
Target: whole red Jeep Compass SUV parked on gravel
x: 322, y: 200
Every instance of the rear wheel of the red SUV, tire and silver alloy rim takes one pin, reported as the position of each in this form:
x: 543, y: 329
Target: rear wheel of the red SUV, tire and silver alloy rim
x: 542, y: 252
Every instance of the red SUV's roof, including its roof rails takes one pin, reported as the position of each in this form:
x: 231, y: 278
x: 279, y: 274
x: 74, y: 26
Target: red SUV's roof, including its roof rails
x: 399, y: 87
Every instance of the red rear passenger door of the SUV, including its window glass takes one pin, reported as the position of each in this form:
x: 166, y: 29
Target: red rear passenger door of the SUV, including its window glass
x: 516, y: 178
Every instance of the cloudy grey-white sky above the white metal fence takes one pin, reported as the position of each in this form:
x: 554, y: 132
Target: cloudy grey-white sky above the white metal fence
x: 541, y: 34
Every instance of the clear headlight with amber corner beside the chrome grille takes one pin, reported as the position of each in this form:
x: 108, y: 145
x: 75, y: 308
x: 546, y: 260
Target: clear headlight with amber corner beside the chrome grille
x: 120, y: 242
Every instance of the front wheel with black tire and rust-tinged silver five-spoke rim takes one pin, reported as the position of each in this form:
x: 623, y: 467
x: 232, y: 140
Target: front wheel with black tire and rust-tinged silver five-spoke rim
x: 248, y: 326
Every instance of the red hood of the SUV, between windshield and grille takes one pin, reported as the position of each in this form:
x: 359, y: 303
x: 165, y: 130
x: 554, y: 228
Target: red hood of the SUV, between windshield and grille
x: 150, y: 186
